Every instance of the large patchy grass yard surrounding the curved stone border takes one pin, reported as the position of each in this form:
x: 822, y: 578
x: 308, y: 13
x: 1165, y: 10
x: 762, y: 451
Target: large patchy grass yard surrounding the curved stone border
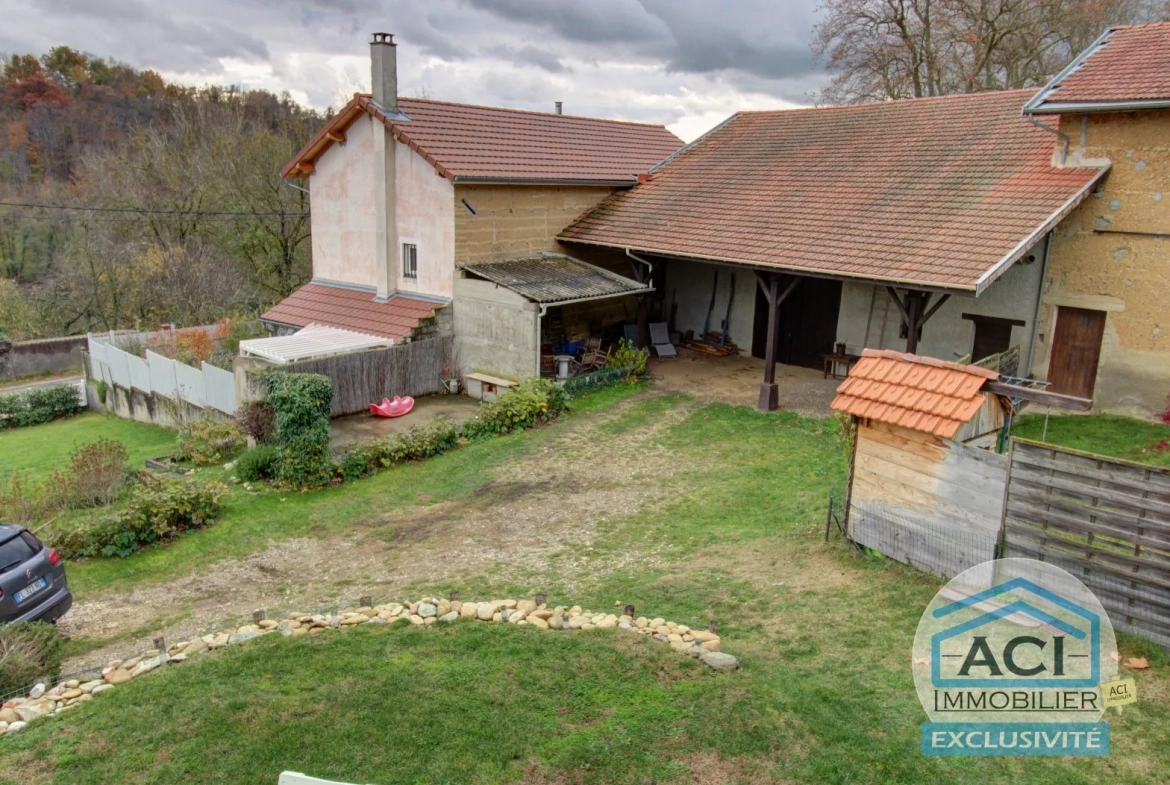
x: 692, y: 512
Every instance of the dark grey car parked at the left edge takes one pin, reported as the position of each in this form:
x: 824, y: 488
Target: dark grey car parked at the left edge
x: 33, y: 584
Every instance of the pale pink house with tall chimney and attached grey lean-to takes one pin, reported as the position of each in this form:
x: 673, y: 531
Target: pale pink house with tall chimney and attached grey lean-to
x: 412, y: 197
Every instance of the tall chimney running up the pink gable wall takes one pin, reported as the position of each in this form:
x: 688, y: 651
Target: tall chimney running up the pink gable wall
x: 384, y: 71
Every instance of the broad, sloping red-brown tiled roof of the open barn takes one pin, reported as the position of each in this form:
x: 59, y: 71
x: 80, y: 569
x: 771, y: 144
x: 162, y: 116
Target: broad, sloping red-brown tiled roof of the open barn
x: 945, y: 192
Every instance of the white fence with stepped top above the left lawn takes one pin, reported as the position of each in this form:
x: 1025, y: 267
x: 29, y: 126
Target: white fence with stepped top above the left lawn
x: 207, y: 388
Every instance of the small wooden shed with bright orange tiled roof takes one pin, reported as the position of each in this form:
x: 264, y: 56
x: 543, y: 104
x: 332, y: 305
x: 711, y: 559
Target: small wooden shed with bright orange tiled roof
x: 917, y: 462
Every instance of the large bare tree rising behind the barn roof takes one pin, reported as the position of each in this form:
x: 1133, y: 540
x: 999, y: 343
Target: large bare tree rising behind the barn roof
x: 883, y: 50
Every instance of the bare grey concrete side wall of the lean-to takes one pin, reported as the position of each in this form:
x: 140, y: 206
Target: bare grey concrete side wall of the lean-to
x: 497, y: 330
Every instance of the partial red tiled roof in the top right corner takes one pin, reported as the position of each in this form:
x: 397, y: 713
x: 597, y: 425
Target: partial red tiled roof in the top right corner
x: 1126, y: 65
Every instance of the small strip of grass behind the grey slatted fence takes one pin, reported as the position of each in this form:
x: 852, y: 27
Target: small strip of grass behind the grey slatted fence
x: 1106, y: 435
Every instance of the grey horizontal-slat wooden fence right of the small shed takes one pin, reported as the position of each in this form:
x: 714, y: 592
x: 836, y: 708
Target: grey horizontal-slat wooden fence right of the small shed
x: 1103, y: 520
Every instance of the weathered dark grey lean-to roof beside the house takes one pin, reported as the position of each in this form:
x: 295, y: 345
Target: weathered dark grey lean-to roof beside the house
x: 554, y: 278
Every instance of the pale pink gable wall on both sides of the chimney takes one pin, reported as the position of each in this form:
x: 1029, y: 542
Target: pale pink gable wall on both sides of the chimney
x: 342, y: 191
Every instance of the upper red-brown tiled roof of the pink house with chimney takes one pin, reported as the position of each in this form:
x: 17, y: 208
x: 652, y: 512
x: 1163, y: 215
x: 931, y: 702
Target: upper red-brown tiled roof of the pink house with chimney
x: 487, y: 143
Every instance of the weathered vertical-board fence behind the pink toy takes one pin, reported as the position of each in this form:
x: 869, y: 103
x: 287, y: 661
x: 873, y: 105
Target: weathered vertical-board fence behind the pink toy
x: 364, y: 378
